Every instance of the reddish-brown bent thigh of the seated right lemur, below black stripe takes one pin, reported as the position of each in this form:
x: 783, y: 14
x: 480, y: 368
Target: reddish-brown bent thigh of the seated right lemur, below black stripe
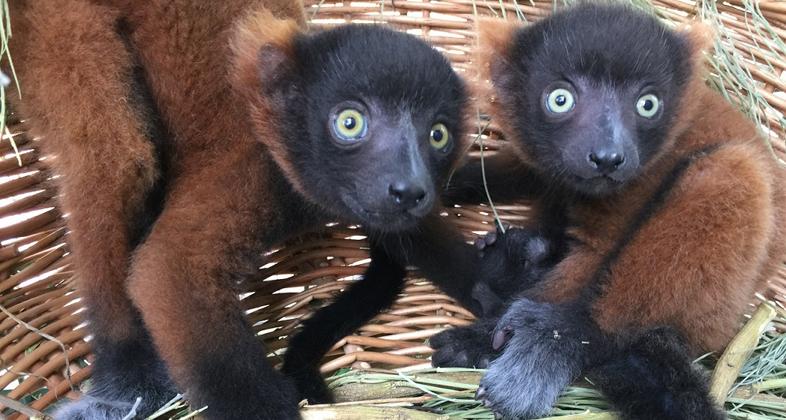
x: 704, y: 244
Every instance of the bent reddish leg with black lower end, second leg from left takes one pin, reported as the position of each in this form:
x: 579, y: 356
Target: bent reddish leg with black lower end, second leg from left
x: 184, y: 281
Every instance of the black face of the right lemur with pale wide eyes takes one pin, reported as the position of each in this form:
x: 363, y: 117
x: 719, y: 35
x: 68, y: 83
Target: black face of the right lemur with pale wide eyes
x: 597, y: 92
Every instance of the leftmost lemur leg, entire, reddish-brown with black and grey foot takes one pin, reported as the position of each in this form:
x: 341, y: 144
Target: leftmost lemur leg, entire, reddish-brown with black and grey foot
x: 78, y: 95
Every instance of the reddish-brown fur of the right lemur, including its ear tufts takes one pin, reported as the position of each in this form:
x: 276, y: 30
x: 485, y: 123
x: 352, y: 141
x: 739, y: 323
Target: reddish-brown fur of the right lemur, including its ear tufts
x: 697, y: 263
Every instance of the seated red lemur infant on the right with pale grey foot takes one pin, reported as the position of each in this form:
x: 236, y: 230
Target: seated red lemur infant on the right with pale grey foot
x: 661, y: 213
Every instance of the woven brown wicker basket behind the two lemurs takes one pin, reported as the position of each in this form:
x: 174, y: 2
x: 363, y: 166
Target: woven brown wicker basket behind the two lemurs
x: 42, y: 333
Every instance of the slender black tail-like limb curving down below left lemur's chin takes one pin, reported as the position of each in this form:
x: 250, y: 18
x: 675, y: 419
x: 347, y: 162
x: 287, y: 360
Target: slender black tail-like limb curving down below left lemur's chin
x: 357, y: 305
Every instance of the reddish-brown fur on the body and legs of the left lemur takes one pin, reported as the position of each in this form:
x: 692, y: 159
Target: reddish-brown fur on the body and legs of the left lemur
x: 75, y: 72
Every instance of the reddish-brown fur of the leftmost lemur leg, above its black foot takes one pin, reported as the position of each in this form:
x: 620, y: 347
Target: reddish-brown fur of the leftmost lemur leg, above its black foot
x: 76, y: 95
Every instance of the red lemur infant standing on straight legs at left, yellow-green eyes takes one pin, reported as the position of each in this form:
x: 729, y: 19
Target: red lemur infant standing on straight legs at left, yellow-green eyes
x: 193, y: 135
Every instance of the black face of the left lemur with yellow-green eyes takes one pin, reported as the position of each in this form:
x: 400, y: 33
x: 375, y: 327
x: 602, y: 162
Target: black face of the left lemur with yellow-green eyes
x: 378, y: 115
